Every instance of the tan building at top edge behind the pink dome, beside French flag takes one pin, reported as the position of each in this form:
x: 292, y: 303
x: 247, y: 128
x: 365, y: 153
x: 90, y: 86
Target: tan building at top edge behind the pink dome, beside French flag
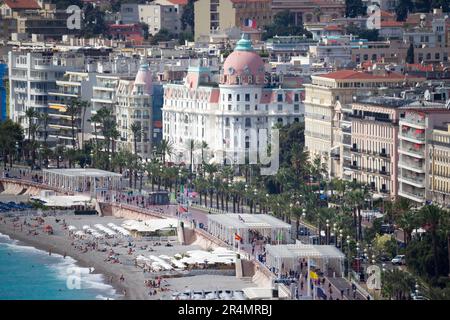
x: 222, y: 15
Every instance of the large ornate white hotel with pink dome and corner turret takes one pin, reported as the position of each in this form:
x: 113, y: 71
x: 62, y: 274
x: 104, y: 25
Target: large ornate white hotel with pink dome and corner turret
x: 229, y: 115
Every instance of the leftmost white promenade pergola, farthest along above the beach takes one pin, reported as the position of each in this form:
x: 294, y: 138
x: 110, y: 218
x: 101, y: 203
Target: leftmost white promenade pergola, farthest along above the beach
x: 82, y: 180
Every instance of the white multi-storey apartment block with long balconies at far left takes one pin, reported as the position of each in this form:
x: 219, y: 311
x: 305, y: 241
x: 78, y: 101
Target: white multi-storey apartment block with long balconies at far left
x: 32, y: 75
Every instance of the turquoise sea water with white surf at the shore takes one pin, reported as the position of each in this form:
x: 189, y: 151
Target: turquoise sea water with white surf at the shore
x: 27, y: 273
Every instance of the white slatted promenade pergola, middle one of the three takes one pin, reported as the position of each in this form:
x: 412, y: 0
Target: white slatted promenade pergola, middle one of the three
x: 249, y: 226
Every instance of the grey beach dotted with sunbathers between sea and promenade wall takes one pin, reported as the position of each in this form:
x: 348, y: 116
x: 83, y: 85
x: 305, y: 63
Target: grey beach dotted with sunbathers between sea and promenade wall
x: 133, y: 286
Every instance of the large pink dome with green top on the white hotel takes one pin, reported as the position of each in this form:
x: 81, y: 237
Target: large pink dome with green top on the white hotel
x: 243, y: 66
